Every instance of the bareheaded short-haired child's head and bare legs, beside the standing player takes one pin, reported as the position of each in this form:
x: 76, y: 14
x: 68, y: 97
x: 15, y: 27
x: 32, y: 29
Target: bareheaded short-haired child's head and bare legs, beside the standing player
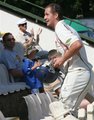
x: 56, y: 85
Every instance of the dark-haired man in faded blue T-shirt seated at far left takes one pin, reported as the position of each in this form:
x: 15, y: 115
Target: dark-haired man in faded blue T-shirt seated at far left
x: 11, y: 59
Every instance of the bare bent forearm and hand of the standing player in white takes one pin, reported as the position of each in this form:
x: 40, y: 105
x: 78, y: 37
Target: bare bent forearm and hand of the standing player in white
x: 73, y: 49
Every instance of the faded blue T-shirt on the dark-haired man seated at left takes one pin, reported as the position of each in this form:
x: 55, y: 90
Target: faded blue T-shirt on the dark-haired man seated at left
x: 12, y: 61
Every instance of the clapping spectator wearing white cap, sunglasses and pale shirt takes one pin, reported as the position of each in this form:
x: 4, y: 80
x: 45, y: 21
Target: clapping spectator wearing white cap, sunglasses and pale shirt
x: 25, y: 37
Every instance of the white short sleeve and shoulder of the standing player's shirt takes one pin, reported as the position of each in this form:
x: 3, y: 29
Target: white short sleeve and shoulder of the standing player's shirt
x: 66, y: 34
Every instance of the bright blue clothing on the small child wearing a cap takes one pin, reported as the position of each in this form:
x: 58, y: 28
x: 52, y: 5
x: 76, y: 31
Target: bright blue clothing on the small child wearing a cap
x: 30, y: 75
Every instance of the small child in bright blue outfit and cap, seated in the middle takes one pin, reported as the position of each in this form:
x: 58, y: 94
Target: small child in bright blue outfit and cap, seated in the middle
x: 29, y: 69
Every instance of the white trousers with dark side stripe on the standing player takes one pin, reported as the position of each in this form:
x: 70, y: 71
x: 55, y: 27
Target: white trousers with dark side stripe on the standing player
x: 74, y: 88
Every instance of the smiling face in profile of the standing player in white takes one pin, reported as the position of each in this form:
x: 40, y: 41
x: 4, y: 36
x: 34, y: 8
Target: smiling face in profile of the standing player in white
x: 50, y: 18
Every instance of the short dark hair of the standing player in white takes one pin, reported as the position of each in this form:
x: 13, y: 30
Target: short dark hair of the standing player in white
x: 55, y: 8
